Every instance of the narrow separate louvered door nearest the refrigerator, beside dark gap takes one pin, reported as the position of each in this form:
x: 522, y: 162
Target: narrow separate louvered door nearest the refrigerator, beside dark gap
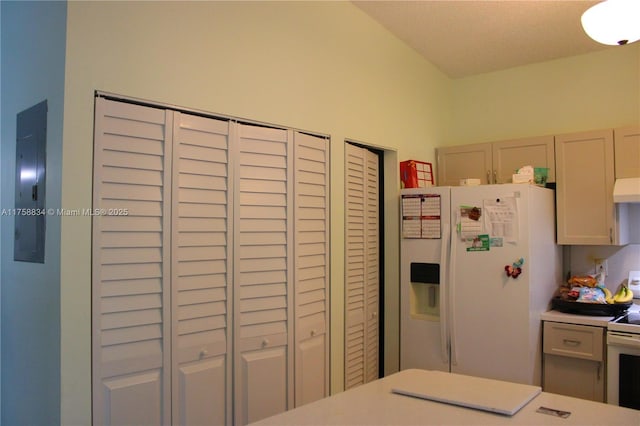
x: 362, y: 276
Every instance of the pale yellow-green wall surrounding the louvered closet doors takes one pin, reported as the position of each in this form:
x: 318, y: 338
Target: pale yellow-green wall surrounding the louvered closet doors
x: 317, y: 66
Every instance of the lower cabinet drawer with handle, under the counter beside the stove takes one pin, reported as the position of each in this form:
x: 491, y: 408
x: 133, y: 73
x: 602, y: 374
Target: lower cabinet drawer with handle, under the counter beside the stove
x: 575, y: 341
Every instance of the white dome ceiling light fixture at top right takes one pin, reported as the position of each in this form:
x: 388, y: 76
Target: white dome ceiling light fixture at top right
x: 613, y: 22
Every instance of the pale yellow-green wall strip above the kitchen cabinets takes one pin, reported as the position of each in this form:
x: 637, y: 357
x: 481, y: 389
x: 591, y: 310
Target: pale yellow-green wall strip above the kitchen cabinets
x: 593, y: 91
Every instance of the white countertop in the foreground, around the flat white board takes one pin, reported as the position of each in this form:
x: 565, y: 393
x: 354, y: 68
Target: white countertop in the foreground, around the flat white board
x: 375, y: 404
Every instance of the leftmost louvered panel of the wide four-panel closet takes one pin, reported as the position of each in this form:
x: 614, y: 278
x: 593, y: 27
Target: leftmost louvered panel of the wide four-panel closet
x: 130, y: 282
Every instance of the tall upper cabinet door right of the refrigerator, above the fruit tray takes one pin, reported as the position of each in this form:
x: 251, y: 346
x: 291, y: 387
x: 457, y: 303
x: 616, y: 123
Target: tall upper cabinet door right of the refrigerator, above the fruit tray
x: 584, y: 188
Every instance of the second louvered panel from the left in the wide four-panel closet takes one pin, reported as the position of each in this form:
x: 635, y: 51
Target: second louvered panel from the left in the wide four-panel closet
x: 201, y: 303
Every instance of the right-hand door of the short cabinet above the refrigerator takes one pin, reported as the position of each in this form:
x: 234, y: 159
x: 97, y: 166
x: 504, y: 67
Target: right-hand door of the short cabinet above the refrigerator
x: 509, y: 156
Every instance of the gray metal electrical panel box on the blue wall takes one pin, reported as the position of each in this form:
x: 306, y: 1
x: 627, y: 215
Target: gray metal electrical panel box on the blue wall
x: 30, y: 213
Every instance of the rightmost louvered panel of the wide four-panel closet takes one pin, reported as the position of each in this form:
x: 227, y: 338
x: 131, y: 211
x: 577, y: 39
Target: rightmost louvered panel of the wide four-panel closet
x: 311, y: 286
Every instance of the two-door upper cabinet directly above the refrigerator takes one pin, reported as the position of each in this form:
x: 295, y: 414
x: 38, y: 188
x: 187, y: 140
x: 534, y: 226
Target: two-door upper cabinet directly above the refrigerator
x: 494, y: 162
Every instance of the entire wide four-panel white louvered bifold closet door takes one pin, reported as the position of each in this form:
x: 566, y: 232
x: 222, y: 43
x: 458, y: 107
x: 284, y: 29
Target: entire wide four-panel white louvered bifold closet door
x: 210, y: 268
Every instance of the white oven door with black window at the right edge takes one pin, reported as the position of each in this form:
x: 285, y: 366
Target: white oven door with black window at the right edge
x: 623, y: 369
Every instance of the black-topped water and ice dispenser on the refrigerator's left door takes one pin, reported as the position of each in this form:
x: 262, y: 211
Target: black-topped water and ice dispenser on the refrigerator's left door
x: 425, y: 291
